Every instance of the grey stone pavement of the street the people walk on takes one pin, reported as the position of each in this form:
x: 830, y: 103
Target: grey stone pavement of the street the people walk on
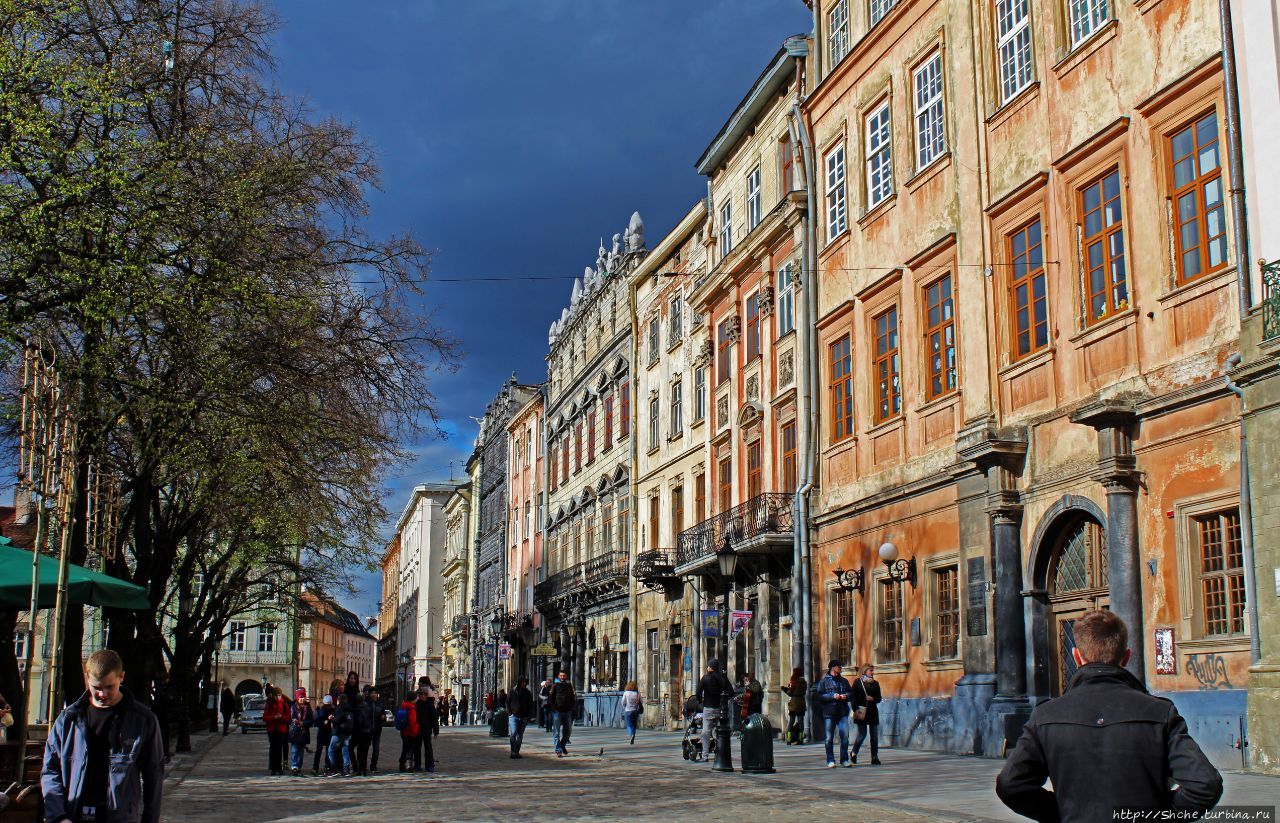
x: 604, y: 780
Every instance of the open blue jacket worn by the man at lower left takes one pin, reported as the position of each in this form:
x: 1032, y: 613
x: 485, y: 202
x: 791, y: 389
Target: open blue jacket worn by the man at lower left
x: 134, y: 792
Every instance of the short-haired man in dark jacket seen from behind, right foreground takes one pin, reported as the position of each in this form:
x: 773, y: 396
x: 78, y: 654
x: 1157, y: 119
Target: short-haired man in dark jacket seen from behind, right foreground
x: 1107, y: 744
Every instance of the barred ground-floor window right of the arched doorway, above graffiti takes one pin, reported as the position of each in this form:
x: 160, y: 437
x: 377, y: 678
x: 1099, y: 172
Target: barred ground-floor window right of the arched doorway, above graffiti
x: 1222, y: 573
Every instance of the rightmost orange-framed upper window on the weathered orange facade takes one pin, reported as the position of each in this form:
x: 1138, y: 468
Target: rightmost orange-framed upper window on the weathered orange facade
x: 1196, y: 168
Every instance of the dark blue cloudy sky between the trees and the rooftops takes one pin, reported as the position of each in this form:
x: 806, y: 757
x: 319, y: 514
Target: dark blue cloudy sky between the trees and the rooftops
x: 513, y: 136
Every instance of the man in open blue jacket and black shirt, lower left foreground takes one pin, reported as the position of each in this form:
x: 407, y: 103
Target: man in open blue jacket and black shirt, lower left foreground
x: 104, y: 758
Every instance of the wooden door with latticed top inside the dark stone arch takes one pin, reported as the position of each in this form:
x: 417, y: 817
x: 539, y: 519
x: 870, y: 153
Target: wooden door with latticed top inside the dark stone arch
x: 1077, y: 583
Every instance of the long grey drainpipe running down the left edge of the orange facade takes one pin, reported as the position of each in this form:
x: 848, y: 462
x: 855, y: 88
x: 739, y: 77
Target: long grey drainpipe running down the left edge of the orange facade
x: 808, y: 431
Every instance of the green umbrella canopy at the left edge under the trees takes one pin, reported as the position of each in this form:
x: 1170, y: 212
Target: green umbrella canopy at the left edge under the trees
x: 84, y: 586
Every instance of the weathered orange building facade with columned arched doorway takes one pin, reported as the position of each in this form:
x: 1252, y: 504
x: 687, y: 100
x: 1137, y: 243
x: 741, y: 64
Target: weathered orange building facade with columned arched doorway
x: 1028, y: 294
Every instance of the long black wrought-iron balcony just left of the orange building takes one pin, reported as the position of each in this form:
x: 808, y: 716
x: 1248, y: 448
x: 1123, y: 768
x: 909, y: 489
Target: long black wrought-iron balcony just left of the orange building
x: 760, y: 527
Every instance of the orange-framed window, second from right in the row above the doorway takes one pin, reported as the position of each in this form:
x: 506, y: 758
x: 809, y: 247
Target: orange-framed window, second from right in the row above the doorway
x: 1103, y: 246
